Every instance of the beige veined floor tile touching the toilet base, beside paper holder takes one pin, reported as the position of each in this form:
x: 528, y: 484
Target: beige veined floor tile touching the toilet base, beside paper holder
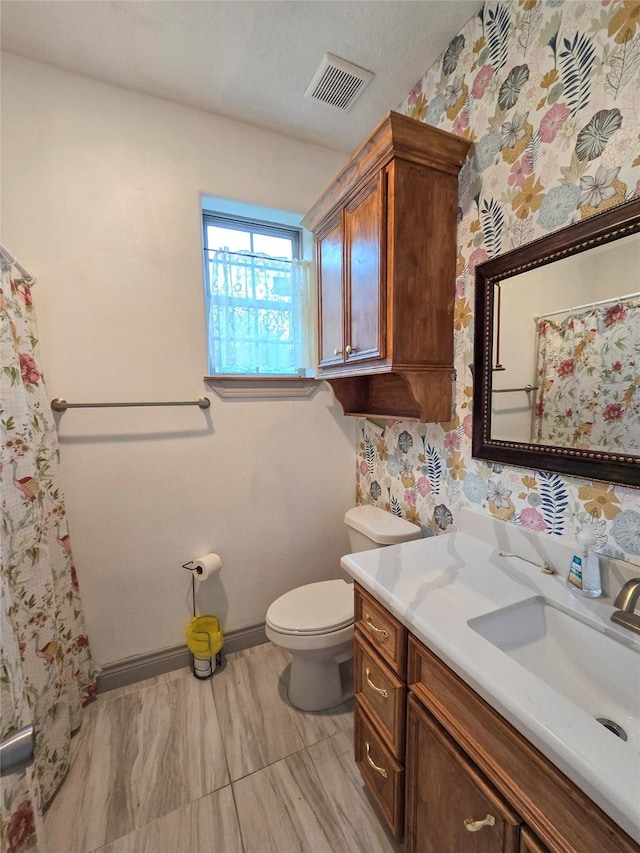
x: 257, y: 727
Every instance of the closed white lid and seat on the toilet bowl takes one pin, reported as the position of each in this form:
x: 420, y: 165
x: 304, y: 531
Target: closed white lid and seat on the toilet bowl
x: 315, y: 608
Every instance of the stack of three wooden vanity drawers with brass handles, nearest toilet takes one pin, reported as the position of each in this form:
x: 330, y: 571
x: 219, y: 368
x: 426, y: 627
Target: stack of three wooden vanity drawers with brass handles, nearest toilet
x: 380, y: 657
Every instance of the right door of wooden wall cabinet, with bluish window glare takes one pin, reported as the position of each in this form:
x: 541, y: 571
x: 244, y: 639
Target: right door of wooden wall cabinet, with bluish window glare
x: 365, y: 235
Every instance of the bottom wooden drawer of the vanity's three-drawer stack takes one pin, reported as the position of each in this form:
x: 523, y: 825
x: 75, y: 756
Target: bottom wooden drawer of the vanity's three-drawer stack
x: 382, y: 774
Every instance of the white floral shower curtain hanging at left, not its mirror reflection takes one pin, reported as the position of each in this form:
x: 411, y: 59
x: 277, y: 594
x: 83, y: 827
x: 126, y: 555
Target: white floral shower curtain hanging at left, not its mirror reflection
x: 46, y: 672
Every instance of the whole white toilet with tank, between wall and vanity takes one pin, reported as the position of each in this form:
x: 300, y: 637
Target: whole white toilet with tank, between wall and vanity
x: 314, y: 622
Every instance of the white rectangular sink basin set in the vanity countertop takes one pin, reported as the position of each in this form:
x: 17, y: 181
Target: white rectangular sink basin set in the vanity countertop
x: 588, y: 667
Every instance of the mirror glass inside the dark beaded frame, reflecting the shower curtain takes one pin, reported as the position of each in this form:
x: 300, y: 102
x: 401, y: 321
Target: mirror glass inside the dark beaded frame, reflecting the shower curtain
x: 566, y: 352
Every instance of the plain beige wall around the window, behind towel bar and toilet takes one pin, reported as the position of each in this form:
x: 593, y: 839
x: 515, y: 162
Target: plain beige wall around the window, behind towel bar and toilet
x: 101, y: 199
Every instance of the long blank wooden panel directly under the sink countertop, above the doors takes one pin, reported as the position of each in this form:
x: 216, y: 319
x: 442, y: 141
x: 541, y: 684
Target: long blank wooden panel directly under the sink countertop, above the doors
x: 561, y: 815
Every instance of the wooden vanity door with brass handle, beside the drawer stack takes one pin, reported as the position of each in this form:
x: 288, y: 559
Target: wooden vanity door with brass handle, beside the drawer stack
x: 451, y: 807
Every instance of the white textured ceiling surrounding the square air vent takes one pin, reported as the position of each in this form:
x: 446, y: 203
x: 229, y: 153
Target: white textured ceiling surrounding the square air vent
x: 243, y: 59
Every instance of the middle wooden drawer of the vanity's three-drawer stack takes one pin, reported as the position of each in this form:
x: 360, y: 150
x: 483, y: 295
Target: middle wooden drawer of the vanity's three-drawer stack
x: 382, y: 695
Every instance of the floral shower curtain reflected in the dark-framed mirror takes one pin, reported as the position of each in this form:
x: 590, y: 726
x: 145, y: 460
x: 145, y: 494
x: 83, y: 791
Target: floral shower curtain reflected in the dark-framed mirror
x: 588, y: 377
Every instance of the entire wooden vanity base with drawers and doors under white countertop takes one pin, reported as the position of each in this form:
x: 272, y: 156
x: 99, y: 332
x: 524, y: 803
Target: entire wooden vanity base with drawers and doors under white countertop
x: 461, y: 762
